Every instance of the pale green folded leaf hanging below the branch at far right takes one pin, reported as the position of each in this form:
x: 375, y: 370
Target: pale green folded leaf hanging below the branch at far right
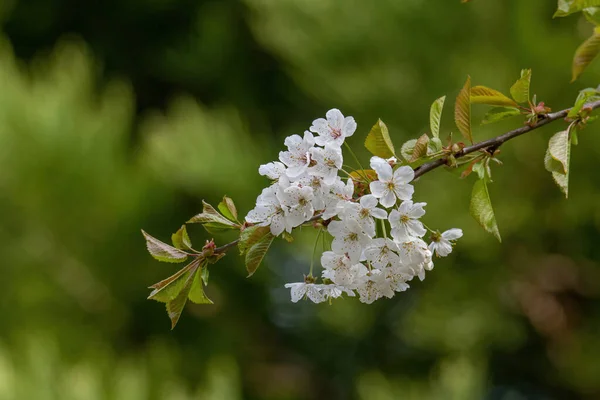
x: 557, y: 159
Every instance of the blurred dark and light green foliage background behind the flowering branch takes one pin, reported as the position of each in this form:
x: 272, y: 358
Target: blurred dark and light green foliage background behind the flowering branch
x: 124, y: 114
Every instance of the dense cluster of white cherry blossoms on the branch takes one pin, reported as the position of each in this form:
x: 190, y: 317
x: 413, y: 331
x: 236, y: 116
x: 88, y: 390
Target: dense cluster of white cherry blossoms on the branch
x: 307, y: 187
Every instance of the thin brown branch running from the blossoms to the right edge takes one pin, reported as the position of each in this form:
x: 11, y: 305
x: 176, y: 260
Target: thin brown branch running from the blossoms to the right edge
x: 498, y: 140
